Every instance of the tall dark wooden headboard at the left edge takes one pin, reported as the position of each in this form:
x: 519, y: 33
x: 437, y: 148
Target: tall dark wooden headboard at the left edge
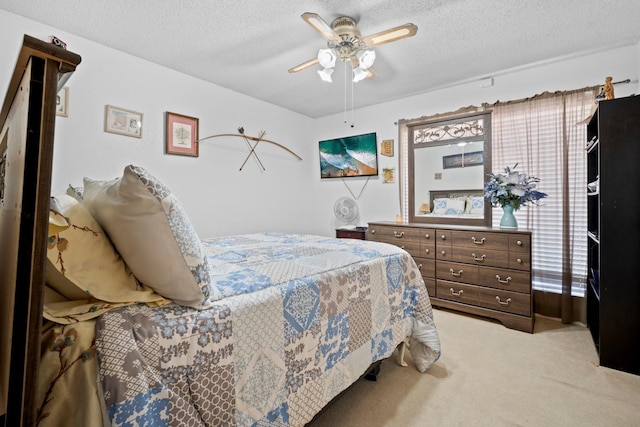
x: 27, y: 120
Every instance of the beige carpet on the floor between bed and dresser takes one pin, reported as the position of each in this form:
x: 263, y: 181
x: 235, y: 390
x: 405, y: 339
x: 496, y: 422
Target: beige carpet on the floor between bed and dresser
x: 489, y: 375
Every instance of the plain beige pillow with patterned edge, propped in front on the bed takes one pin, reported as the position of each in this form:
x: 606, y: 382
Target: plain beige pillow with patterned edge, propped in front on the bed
x: 152, y: 232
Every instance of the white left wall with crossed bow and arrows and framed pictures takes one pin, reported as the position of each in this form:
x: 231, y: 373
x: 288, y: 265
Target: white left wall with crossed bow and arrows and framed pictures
x: 218, y: 197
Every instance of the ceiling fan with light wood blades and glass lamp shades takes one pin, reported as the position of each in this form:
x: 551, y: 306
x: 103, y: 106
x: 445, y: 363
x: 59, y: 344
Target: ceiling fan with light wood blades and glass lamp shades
x: 345, y: 43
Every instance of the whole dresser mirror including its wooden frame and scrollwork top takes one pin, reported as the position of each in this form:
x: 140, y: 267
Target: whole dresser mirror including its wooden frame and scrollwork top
x: 449, y: 160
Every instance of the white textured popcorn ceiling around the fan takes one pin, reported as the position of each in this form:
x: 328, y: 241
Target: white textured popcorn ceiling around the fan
x: 248, y: 46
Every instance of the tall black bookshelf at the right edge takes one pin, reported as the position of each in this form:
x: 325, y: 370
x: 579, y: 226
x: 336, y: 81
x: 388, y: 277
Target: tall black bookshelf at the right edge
x: 613, y: 205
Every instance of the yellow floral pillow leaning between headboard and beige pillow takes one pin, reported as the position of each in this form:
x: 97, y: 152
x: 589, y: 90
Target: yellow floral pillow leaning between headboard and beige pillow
x: 84, y: 271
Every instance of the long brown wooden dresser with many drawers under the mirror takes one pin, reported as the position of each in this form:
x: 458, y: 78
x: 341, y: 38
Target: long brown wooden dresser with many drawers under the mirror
x: 479, y: 270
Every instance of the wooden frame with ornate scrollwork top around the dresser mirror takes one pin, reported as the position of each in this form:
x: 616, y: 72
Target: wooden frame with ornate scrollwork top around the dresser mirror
x: 446, y: 124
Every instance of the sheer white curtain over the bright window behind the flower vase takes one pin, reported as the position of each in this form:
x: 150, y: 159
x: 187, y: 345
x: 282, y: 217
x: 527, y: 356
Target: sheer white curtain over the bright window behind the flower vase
x: 545, y: 137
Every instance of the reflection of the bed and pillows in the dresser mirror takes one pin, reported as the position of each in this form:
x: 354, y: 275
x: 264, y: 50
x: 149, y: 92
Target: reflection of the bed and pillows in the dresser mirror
x: 454, y: 204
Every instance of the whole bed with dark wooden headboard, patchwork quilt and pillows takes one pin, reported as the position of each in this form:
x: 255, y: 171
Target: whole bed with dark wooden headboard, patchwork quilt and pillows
x: 166, y: 328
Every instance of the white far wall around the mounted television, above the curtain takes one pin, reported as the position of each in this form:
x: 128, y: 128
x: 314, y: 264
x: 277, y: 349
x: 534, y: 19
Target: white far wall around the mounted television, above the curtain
x: 381, y: 201
